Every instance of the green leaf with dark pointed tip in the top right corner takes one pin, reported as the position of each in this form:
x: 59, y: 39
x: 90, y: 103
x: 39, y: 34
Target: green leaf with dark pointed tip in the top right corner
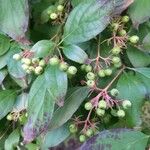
x: 139, y: 6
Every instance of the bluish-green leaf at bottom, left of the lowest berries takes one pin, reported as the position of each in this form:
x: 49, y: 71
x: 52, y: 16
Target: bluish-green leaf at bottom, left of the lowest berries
x: 55, y: 137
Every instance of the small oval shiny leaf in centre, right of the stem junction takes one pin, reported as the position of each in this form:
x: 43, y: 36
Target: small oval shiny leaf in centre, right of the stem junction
x: 75, y: 53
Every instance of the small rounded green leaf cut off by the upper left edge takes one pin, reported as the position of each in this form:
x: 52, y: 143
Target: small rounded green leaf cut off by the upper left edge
x: 4, y: 44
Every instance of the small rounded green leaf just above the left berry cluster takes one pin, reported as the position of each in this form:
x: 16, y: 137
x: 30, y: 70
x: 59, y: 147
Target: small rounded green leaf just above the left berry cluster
x: 43, y: 48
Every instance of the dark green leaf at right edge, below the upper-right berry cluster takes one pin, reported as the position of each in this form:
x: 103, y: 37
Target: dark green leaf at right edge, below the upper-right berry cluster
x: 138, y: 58
